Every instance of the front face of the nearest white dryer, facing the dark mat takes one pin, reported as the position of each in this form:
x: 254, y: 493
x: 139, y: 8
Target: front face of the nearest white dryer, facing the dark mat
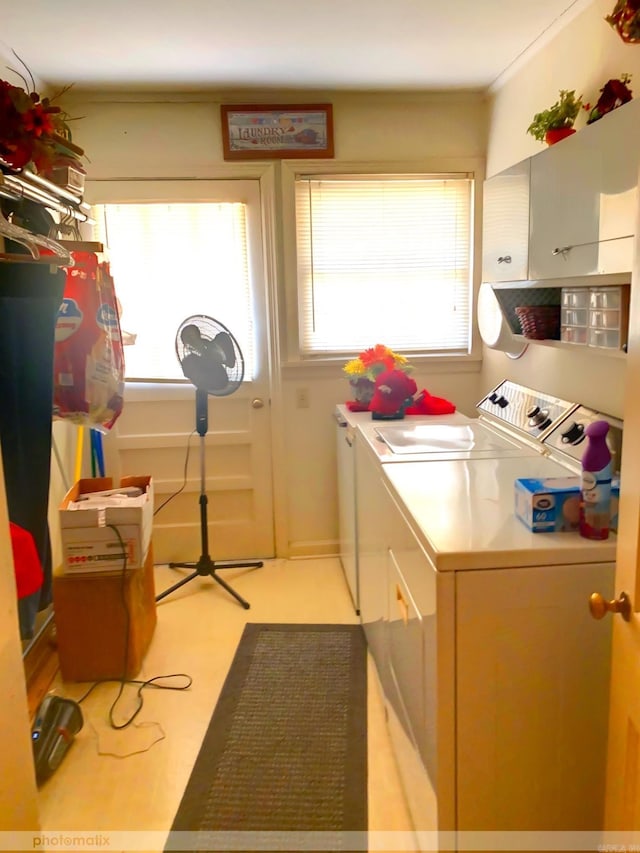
x: 420, y: 638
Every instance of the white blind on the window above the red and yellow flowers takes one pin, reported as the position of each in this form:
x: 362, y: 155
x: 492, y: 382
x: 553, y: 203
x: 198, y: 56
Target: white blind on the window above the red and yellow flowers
x: 386, y: 259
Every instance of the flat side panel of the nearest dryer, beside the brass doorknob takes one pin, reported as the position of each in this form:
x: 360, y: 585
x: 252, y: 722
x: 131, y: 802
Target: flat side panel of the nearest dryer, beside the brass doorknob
x: 532, y: 698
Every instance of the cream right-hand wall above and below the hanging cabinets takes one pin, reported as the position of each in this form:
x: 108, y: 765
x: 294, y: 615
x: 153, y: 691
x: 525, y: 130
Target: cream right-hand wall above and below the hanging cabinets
x: 583, y: 56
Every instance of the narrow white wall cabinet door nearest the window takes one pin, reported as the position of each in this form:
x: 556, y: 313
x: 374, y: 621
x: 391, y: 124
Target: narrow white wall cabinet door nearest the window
x: 505, y: 225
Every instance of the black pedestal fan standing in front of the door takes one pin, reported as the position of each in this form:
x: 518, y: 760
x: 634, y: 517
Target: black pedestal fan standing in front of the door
x: 212, y: 360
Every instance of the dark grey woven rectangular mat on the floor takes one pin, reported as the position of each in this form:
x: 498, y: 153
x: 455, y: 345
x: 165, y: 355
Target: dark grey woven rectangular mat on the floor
x: 283, y: 764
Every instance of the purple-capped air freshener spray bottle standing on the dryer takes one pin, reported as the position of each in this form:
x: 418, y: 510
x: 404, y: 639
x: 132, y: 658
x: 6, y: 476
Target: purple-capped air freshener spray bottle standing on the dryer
x: 595, y: 498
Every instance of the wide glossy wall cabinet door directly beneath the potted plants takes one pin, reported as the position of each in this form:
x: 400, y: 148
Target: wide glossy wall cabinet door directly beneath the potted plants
x: 583, y: 200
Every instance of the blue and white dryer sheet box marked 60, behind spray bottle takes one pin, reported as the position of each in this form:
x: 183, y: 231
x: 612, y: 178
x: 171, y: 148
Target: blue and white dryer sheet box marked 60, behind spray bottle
x: 552, y: 504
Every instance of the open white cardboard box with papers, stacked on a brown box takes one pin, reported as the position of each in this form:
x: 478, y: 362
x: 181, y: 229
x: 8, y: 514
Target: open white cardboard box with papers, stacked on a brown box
x: 89, y: 545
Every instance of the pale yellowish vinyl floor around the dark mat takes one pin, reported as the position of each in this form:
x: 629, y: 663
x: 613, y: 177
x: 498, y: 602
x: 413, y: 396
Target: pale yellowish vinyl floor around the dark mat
x: 131, y: 780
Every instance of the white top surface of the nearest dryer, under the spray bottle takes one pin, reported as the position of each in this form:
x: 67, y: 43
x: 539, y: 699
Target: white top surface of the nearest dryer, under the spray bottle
x: 463, y: 514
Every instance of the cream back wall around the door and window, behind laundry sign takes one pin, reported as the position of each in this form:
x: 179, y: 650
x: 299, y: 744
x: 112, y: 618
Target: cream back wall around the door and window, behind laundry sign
x: 129, y: 137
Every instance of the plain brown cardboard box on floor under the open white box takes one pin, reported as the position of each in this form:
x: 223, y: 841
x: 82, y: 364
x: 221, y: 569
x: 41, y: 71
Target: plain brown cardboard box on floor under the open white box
x: 94, y: 613
